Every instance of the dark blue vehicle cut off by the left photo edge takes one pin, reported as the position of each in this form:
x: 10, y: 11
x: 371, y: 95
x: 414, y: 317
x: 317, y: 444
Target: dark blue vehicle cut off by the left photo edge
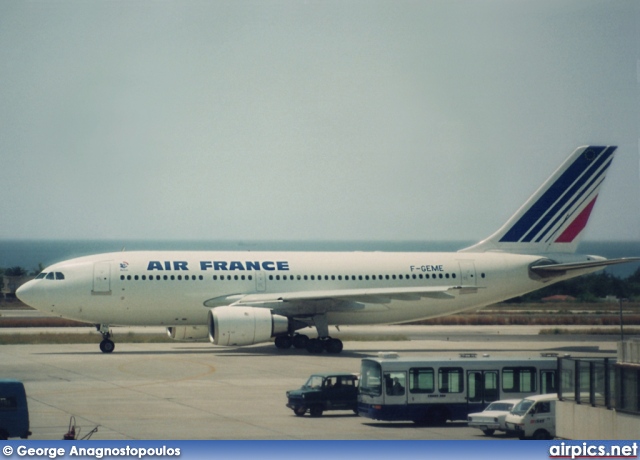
x: 14, y: 413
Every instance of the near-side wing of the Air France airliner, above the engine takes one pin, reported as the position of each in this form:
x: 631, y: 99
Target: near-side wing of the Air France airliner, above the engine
x: 310, y: 302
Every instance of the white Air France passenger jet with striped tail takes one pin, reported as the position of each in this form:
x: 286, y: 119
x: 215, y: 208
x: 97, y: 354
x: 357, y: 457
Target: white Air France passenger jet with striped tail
x: 244, y: 298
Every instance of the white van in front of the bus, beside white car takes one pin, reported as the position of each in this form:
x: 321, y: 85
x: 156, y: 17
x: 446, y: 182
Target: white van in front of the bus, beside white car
x: 533, y: 417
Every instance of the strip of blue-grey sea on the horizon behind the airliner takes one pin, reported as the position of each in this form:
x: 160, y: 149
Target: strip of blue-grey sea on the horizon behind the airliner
x: 30, y: 254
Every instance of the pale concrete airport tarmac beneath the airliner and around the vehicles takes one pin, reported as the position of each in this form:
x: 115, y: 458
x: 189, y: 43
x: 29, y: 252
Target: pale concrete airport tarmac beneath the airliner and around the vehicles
x: 198, y: 391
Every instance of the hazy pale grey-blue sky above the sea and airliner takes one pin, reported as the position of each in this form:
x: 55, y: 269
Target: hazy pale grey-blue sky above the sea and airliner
x: 309, y: 120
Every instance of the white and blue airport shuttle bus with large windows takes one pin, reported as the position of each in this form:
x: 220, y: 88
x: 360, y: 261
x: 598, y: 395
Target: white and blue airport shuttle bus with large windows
x: 434, y: 390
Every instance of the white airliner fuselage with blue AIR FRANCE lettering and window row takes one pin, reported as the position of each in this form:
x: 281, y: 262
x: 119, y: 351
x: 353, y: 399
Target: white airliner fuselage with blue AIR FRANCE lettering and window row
x: 159, y: 288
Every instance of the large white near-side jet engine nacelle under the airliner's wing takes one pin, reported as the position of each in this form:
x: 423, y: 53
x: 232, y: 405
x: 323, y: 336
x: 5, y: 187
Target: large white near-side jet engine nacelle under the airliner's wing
x: 235, y: 326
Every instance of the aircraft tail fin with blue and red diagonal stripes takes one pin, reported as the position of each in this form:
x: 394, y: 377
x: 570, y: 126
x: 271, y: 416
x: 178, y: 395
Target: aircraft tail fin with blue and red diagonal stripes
x: 553, y: 218
